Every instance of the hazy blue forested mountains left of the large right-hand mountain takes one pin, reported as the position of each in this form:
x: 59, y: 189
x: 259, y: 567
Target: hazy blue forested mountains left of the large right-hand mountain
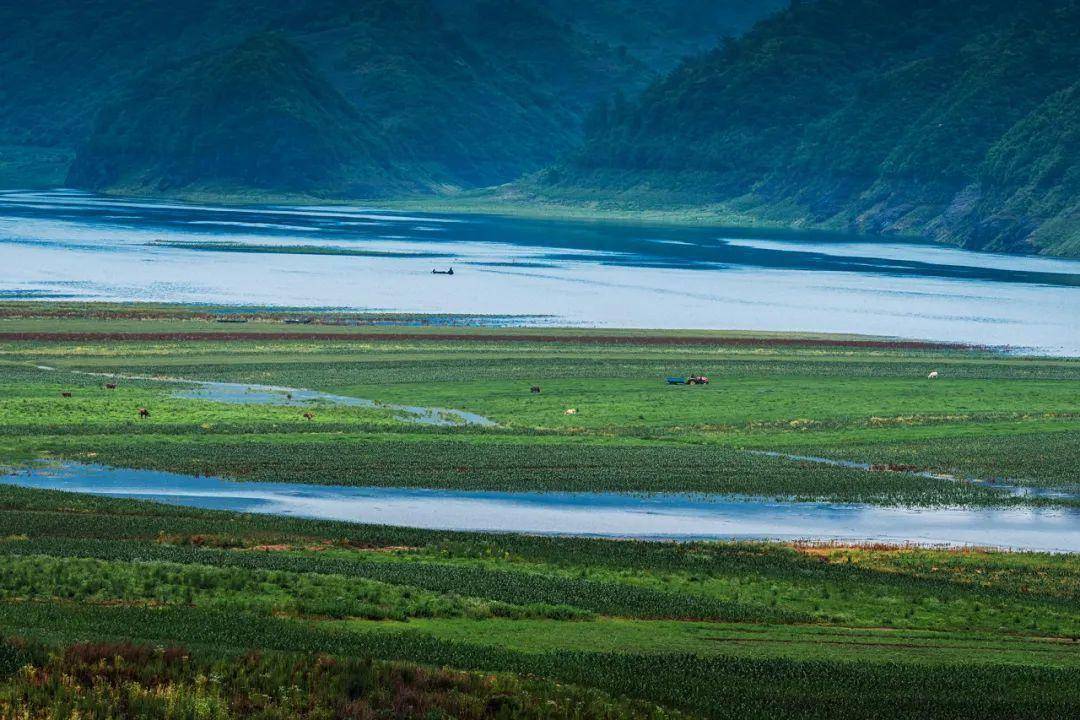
x: 387, y: 94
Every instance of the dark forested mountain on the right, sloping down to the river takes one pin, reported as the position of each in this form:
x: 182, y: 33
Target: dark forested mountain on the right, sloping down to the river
x: 952, y: 118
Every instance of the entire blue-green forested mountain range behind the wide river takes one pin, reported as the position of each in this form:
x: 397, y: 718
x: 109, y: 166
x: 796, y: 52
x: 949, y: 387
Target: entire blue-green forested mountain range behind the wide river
x: 955, y: 119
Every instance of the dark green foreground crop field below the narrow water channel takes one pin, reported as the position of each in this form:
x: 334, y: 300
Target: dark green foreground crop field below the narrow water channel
x: 707, y: 630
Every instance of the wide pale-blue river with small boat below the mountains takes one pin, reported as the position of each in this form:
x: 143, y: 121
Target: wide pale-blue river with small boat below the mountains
x: 70, y: 246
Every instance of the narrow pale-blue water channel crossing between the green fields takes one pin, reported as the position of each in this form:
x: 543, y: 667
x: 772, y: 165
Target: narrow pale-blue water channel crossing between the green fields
x: 612, y: 515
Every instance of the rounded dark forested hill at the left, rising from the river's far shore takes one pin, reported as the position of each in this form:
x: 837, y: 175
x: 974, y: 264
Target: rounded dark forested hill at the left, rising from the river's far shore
x: 254, y: 117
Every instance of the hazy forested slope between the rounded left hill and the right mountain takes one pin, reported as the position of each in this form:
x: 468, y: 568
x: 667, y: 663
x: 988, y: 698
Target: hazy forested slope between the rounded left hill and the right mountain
x: 474, y: 103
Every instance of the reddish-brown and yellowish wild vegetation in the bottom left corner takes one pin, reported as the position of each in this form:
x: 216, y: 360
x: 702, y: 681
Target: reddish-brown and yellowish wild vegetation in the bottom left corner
x: 155, y: 682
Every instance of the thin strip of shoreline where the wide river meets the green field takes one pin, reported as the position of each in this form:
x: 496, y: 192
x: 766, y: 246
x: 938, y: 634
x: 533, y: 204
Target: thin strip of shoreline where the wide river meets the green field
x: 67, y: 321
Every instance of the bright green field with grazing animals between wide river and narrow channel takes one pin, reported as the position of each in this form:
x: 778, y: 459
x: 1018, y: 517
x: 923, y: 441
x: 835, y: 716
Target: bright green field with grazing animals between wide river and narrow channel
x: 988, y: 416
